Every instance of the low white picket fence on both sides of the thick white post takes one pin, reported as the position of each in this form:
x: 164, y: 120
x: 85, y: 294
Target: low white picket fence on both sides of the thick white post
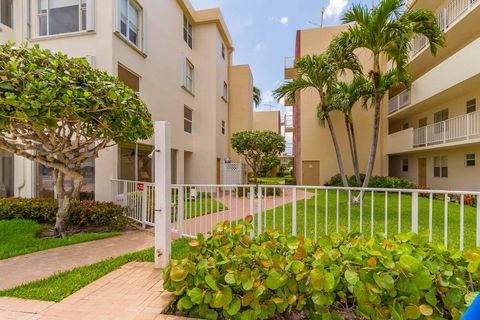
x: 447, y: 217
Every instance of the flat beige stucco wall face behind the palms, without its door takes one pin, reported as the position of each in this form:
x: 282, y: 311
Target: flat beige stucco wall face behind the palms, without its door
x: 316, y: 142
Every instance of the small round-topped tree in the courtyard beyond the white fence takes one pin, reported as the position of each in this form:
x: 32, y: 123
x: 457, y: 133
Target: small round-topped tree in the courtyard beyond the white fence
x: 261, y: 149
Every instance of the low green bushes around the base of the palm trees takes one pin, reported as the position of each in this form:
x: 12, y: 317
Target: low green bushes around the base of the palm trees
x: 375, y: 182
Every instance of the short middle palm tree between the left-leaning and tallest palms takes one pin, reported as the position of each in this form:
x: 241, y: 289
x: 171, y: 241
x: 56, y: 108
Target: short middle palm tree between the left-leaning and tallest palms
x: 343, y: 98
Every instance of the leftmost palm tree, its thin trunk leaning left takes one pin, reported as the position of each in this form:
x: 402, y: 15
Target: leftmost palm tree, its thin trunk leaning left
x: 320, y: 73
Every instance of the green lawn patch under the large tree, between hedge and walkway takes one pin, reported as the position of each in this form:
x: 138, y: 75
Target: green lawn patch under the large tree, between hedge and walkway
x: 18, y: 237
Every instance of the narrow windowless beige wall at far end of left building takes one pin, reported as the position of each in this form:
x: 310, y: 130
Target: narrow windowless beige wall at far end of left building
x: 241, y: 103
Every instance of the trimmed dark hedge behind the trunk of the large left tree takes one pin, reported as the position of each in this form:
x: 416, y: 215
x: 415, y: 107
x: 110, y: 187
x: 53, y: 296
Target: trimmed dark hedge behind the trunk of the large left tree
x: 82, y: 213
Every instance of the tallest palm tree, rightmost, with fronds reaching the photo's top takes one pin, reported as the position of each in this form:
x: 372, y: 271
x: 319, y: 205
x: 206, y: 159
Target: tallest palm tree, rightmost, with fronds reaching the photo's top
x: 386, y: 31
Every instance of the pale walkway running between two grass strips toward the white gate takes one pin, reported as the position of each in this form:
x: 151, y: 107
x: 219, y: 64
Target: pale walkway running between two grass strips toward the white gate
x: 39, y: 265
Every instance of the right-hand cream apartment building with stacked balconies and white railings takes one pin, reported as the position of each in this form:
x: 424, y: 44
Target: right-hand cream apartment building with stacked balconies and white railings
x: 434, y: 128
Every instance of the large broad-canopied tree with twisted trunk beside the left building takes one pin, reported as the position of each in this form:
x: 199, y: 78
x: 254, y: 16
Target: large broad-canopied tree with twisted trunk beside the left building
x: 60, y: 112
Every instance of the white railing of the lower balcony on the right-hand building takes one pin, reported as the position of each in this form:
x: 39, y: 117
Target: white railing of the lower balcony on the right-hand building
x: 460, y: 128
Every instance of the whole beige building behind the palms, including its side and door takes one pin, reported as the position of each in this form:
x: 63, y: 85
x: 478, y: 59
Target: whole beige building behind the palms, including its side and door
x: 315, y: 161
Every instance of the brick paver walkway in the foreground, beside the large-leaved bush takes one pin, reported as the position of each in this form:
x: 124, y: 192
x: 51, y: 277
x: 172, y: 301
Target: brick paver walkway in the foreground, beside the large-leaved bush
x: 132, y: 292
